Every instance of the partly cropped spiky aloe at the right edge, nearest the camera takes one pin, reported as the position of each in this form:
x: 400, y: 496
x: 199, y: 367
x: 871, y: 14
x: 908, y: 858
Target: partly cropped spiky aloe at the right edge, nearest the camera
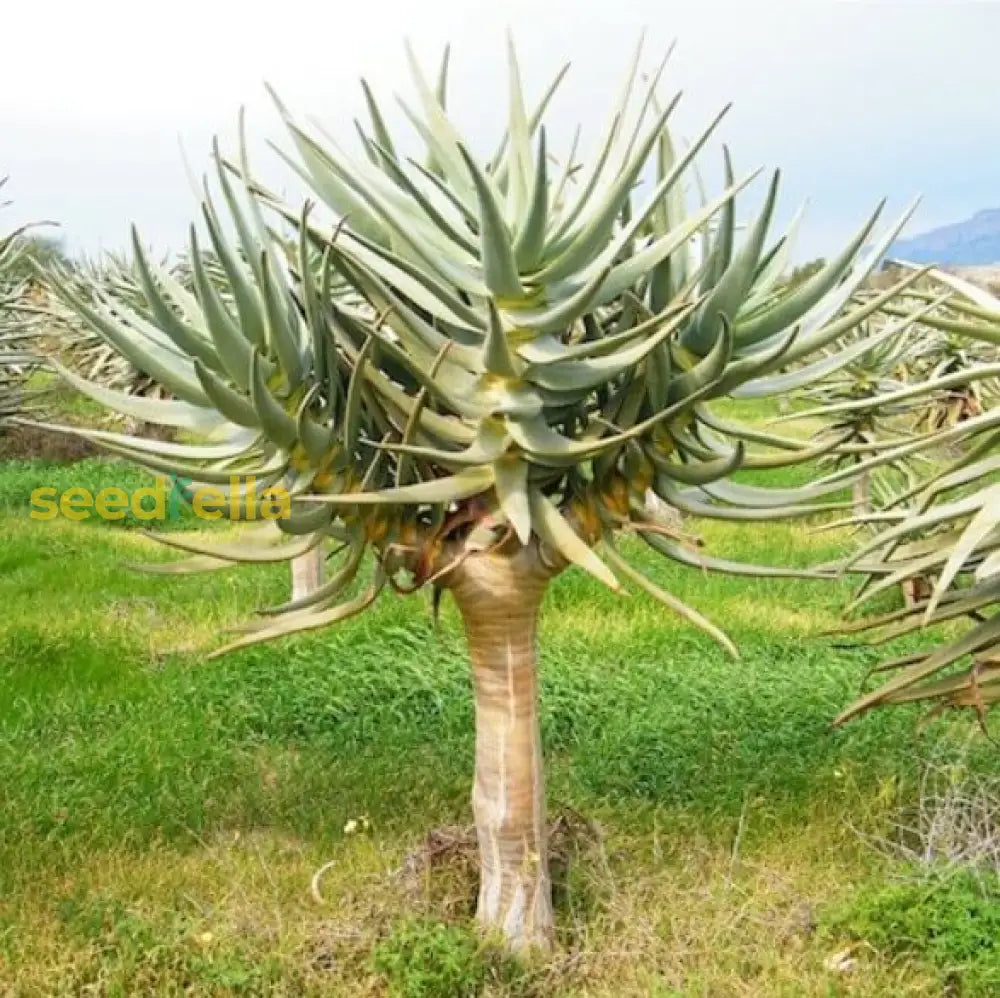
x: 945, y: 526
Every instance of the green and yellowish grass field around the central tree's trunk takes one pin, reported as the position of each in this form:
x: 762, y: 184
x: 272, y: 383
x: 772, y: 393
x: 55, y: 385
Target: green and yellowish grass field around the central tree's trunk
x: 161, y: 816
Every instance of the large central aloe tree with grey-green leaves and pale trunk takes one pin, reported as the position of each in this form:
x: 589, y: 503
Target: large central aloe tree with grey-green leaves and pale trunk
x: 475, y: 369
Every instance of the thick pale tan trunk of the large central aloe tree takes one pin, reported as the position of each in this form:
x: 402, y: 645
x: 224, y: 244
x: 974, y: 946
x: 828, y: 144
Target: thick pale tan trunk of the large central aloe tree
x: 499, y: 597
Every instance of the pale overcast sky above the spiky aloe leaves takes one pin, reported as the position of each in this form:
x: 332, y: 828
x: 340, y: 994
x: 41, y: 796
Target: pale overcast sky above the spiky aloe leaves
x: 853, y: 100
